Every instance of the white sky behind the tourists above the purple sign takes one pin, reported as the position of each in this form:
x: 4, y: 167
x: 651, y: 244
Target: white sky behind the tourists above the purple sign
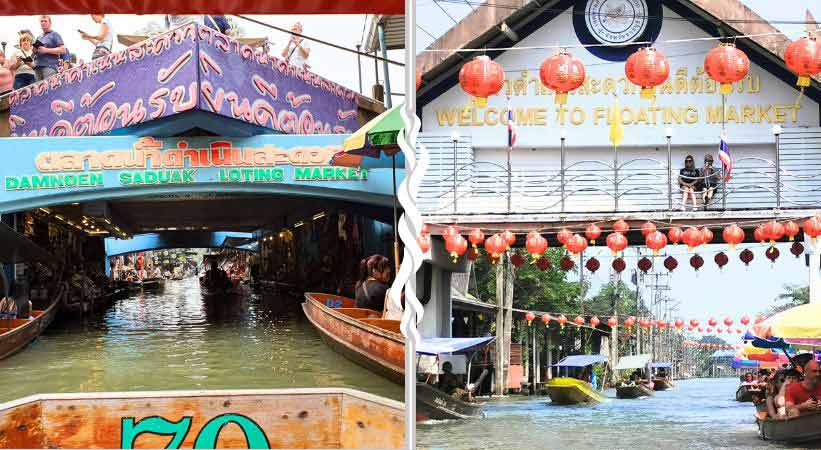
x: 334, y: 64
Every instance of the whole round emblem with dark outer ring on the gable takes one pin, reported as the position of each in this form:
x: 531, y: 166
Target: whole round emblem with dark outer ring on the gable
x: 613, y: 27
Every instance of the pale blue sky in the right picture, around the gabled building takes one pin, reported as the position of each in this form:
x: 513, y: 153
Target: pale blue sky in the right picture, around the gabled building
x: 734, y: 291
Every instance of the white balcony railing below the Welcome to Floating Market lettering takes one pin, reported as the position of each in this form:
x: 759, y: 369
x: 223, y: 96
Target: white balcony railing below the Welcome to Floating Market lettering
x: 457, y: 184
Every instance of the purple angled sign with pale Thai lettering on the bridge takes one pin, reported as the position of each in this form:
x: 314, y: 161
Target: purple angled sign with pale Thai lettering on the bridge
x: 193, y: 67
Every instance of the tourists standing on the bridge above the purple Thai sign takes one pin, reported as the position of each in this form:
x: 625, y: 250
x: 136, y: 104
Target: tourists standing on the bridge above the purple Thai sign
x: 37, y: 58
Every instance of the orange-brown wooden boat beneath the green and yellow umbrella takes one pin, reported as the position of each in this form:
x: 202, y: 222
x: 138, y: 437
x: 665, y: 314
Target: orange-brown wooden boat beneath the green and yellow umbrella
x: 359, y: 334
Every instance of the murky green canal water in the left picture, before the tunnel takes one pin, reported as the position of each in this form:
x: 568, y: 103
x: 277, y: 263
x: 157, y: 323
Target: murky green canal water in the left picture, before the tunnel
x: 179, y: 340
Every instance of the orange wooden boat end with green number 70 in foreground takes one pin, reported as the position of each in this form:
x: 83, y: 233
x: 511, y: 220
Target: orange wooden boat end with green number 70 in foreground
x: 277, y: 418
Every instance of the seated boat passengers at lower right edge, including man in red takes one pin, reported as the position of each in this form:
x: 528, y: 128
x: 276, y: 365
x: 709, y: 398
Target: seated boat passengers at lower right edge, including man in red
x: 787, y: 392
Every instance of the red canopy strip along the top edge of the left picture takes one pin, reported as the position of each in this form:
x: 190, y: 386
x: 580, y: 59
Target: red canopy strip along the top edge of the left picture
x: 34, y: 7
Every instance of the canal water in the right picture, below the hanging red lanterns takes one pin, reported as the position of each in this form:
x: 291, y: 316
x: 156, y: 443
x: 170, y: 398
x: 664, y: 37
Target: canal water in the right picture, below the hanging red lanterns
x: 697, y: 414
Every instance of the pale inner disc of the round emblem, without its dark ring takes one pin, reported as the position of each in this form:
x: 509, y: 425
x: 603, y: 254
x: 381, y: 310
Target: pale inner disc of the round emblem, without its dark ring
x: 616, y: 21
